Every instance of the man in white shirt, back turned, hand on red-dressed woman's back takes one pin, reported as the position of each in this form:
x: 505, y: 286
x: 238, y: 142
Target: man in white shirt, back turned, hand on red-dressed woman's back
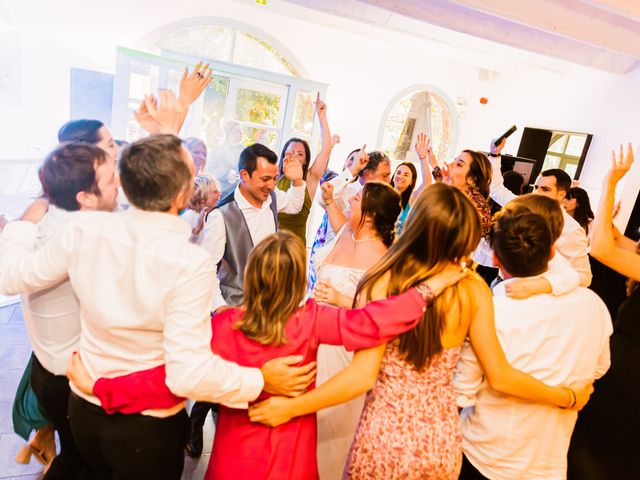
x: 144, y: 292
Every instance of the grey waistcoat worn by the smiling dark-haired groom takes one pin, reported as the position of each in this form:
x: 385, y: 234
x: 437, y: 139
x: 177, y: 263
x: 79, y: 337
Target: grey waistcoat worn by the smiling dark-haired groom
x: 237, y: 248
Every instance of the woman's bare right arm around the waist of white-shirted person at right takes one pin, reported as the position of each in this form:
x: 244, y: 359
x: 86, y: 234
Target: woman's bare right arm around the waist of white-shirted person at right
x: 501, y: 375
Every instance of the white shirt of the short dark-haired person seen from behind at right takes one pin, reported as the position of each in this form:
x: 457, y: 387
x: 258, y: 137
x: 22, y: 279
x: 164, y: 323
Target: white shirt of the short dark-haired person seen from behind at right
x: 557, y: 339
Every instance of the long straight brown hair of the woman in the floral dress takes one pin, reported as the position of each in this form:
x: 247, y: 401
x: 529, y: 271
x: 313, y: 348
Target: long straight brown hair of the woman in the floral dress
x: 443, y: 227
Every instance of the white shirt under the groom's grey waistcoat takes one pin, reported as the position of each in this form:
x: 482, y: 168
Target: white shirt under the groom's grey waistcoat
x: 260, y: 223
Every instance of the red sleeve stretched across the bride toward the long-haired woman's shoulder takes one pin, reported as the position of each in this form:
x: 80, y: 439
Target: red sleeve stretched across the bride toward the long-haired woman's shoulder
x: 375, y: 323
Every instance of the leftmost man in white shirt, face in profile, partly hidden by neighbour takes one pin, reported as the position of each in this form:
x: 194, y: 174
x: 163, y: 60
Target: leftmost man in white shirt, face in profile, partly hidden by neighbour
x: 75, y: 177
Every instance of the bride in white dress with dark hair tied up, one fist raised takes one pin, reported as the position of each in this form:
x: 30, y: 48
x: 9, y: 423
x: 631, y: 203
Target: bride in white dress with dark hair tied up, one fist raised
x: 360, y: 242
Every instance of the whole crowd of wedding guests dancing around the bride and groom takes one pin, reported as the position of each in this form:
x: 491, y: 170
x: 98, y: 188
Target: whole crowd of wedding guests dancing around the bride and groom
x: 419, y: 337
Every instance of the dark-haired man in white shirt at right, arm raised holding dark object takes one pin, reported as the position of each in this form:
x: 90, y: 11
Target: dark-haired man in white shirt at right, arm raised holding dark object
x: 554, y: 183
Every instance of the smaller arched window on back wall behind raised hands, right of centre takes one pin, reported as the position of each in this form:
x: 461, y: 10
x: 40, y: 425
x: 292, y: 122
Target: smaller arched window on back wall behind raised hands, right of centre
x: 417, y: 110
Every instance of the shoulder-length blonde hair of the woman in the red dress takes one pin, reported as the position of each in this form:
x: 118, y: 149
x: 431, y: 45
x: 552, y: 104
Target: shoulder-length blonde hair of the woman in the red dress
x: 275, y: 283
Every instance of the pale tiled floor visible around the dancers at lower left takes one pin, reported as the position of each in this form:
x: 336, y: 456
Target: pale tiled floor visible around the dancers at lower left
x: 14, y: 354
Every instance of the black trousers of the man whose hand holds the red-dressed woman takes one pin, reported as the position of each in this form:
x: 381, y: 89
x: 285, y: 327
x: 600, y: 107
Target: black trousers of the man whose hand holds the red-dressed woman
x: 128, y: 447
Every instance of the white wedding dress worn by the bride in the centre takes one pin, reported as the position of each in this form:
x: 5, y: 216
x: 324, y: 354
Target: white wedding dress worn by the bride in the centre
x: 336, y: 425
